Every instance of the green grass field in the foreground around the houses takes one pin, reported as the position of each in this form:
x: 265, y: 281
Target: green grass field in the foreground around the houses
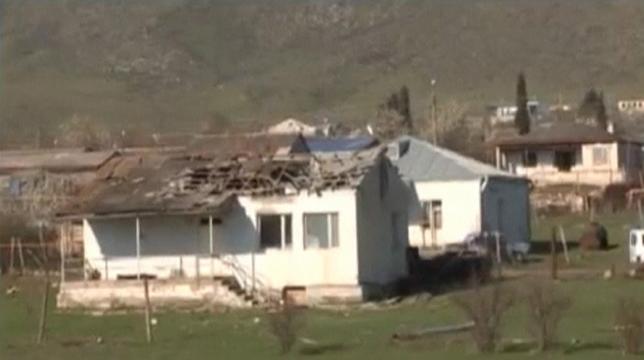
x: 348, y: 333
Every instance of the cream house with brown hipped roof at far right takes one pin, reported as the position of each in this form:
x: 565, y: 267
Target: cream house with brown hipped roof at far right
x: 570, y: 153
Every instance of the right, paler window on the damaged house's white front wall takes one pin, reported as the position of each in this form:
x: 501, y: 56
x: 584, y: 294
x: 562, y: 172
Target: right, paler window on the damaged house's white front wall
x: 321, y: 230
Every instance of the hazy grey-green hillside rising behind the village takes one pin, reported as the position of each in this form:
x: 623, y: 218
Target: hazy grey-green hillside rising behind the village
x: 173, y: 64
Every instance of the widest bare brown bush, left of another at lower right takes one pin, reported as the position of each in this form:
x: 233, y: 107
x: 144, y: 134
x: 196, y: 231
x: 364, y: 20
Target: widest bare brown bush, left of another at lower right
x: 485, y: 308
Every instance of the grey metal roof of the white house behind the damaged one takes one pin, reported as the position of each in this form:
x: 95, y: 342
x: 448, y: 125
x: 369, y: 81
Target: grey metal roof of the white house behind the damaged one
x: 421, y: 161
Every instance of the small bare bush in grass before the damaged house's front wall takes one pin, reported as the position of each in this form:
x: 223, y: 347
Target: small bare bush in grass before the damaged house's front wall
x: 285, y: 324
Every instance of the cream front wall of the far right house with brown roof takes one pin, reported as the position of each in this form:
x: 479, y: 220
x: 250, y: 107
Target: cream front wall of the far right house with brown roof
x: 622, y: 165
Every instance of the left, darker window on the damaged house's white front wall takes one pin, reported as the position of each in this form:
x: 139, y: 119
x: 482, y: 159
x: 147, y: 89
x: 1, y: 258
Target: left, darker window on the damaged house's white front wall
x: 274, y: 231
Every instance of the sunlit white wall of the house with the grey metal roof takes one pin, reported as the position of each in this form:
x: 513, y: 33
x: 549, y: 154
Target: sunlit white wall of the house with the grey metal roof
x: 461, y: 210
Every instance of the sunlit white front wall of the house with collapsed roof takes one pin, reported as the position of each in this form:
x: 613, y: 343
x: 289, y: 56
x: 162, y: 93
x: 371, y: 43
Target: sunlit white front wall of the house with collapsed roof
x: 170, y: 243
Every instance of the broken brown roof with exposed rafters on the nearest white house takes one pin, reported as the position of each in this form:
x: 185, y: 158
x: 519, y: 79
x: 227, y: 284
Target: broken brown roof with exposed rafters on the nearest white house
x: 153, y: 184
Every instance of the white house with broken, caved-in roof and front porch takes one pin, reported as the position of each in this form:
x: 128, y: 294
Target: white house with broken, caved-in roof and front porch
x: 325, y: 228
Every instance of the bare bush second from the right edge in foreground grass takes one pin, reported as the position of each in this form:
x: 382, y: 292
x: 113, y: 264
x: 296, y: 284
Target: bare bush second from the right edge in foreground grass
x: 546, y: 307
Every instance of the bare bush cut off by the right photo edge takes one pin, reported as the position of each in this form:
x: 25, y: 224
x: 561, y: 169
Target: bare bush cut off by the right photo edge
x: 629, y: 324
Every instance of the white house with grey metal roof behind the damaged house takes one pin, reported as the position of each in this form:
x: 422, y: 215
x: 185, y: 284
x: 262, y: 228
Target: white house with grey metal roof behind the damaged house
x: 453, y: 196
